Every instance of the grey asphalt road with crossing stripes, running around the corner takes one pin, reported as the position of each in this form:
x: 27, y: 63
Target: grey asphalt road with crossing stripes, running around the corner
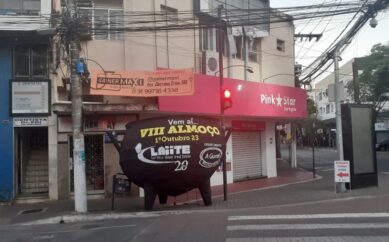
x: 301, y: 212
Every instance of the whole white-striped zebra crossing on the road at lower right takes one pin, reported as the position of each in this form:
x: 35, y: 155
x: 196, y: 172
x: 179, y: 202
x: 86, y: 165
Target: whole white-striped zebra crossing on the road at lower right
x: 338, y: 227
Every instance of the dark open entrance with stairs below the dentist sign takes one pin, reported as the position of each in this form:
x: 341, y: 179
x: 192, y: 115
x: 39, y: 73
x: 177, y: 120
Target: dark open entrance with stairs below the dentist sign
x: 31, y: 161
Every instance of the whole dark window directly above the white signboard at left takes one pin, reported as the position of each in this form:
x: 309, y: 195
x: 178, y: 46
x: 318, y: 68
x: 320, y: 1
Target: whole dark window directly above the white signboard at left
x: 30, y: 61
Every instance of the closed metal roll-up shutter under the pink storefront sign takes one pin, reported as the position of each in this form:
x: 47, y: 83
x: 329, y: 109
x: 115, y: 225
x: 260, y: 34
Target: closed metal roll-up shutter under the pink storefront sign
x: 246, y: 155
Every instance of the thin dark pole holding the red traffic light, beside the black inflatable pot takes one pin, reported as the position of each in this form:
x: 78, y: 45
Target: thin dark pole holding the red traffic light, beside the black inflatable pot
x: 221, y: 82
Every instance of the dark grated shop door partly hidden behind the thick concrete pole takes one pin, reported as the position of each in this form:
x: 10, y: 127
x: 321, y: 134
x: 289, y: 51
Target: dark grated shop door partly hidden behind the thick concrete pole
x: 94, y: 162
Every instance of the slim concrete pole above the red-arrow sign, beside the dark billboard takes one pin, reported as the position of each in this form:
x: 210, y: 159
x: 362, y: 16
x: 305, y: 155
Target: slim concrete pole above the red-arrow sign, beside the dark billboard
x: 339, y: 132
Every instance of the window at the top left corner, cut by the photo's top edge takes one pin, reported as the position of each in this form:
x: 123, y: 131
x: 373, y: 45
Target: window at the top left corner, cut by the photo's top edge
x: 20, y: 7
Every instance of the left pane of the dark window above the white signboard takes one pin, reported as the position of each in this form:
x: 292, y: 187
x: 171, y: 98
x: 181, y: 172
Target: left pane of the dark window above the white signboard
x: 22, y: 61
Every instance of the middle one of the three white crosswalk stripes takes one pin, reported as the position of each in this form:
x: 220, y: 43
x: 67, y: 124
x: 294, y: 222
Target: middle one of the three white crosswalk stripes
x: 307, y: 226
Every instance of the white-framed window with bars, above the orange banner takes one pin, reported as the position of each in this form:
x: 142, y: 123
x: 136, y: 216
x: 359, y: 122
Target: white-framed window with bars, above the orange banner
x: 102, y: 23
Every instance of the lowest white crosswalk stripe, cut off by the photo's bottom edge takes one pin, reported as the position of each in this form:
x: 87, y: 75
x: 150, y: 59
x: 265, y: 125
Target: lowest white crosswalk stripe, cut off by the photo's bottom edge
x: 312, y: 239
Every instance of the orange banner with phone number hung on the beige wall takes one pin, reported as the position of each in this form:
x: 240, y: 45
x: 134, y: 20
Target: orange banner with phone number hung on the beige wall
x: 143, y: 83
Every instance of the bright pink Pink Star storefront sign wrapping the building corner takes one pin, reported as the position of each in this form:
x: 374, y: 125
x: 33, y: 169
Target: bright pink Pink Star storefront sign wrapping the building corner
x: 251, y: 99
